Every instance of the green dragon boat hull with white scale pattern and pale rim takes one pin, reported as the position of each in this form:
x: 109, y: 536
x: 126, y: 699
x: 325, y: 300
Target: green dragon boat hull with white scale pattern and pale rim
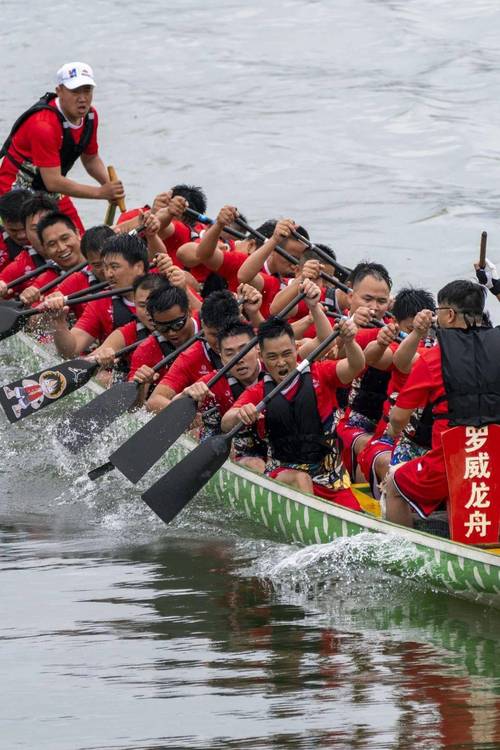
x: 303, y: 519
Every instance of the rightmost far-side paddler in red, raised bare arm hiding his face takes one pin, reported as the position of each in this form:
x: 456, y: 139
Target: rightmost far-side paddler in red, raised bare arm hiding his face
x: 265, y: 269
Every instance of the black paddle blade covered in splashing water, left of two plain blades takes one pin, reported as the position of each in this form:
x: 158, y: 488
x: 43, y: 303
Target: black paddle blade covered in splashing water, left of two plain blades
x: 95, y: 416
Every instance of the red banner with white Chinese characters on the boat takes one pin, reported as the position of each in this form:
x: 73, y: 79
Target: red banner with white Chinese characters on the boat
x: 472, y: 459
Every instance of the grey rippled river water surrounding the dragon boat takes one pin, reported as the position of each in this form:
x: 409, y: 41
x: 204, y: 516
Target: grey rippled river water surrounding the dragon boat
x: 375, y: 125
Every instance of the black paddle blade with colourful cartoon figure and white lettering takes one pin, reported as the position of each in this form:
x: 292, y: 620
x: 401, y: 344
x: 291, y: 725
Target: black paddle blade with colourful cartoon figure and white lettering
x: 28, y: 395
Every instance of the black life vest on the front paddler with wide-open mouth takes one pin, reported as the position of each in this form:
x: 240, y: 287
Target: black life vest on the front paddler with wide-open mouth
x: 294, y: 427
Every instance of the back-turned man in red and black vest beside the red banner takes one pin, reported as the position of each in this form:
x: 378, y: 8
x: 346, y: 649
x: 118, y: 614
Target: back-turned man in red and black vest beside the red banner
x: 458, y: 395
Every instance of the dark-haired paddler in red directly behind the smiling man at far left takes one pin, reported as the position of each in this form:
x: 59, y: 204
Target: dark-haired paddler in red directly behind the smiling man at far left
x: 32, y: 256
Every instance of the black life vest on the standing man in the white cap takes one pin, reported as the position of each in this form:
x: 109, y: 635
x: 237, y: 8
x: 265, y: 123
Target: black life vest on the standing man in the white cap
x: 70, y: 151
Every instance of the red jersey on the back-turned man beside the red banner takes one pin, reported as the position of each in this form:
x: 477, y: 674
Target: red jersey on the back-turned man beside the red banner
x: 424, y: 386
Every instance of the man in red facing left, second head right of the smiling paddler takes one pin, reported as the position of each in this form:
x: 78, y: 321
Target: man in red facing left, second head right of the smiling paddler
x: 125, y: 259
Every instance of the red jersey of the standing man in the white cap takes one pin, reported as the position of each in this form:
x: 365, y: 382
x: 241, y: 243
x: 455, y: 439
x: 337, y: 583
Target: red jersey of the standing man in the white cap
x: 38, y: 142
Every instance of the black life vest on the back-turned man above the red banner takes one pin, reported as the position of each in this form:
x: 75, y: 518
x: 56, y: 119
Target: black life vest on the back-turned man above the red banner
x: 470, y: 364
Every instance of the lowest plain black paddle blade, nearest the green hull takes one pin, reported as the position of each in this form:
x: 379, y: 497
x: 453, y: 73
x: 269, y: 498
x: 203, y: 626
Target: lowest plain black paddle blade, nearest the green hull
x: 168, y: 496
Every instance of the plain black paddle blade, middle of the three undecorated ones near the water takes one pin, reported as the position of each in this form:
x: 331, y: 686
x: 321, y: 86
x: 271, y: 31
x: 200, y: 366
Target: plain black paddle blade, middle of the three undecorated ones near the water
x: 135, y: 457
